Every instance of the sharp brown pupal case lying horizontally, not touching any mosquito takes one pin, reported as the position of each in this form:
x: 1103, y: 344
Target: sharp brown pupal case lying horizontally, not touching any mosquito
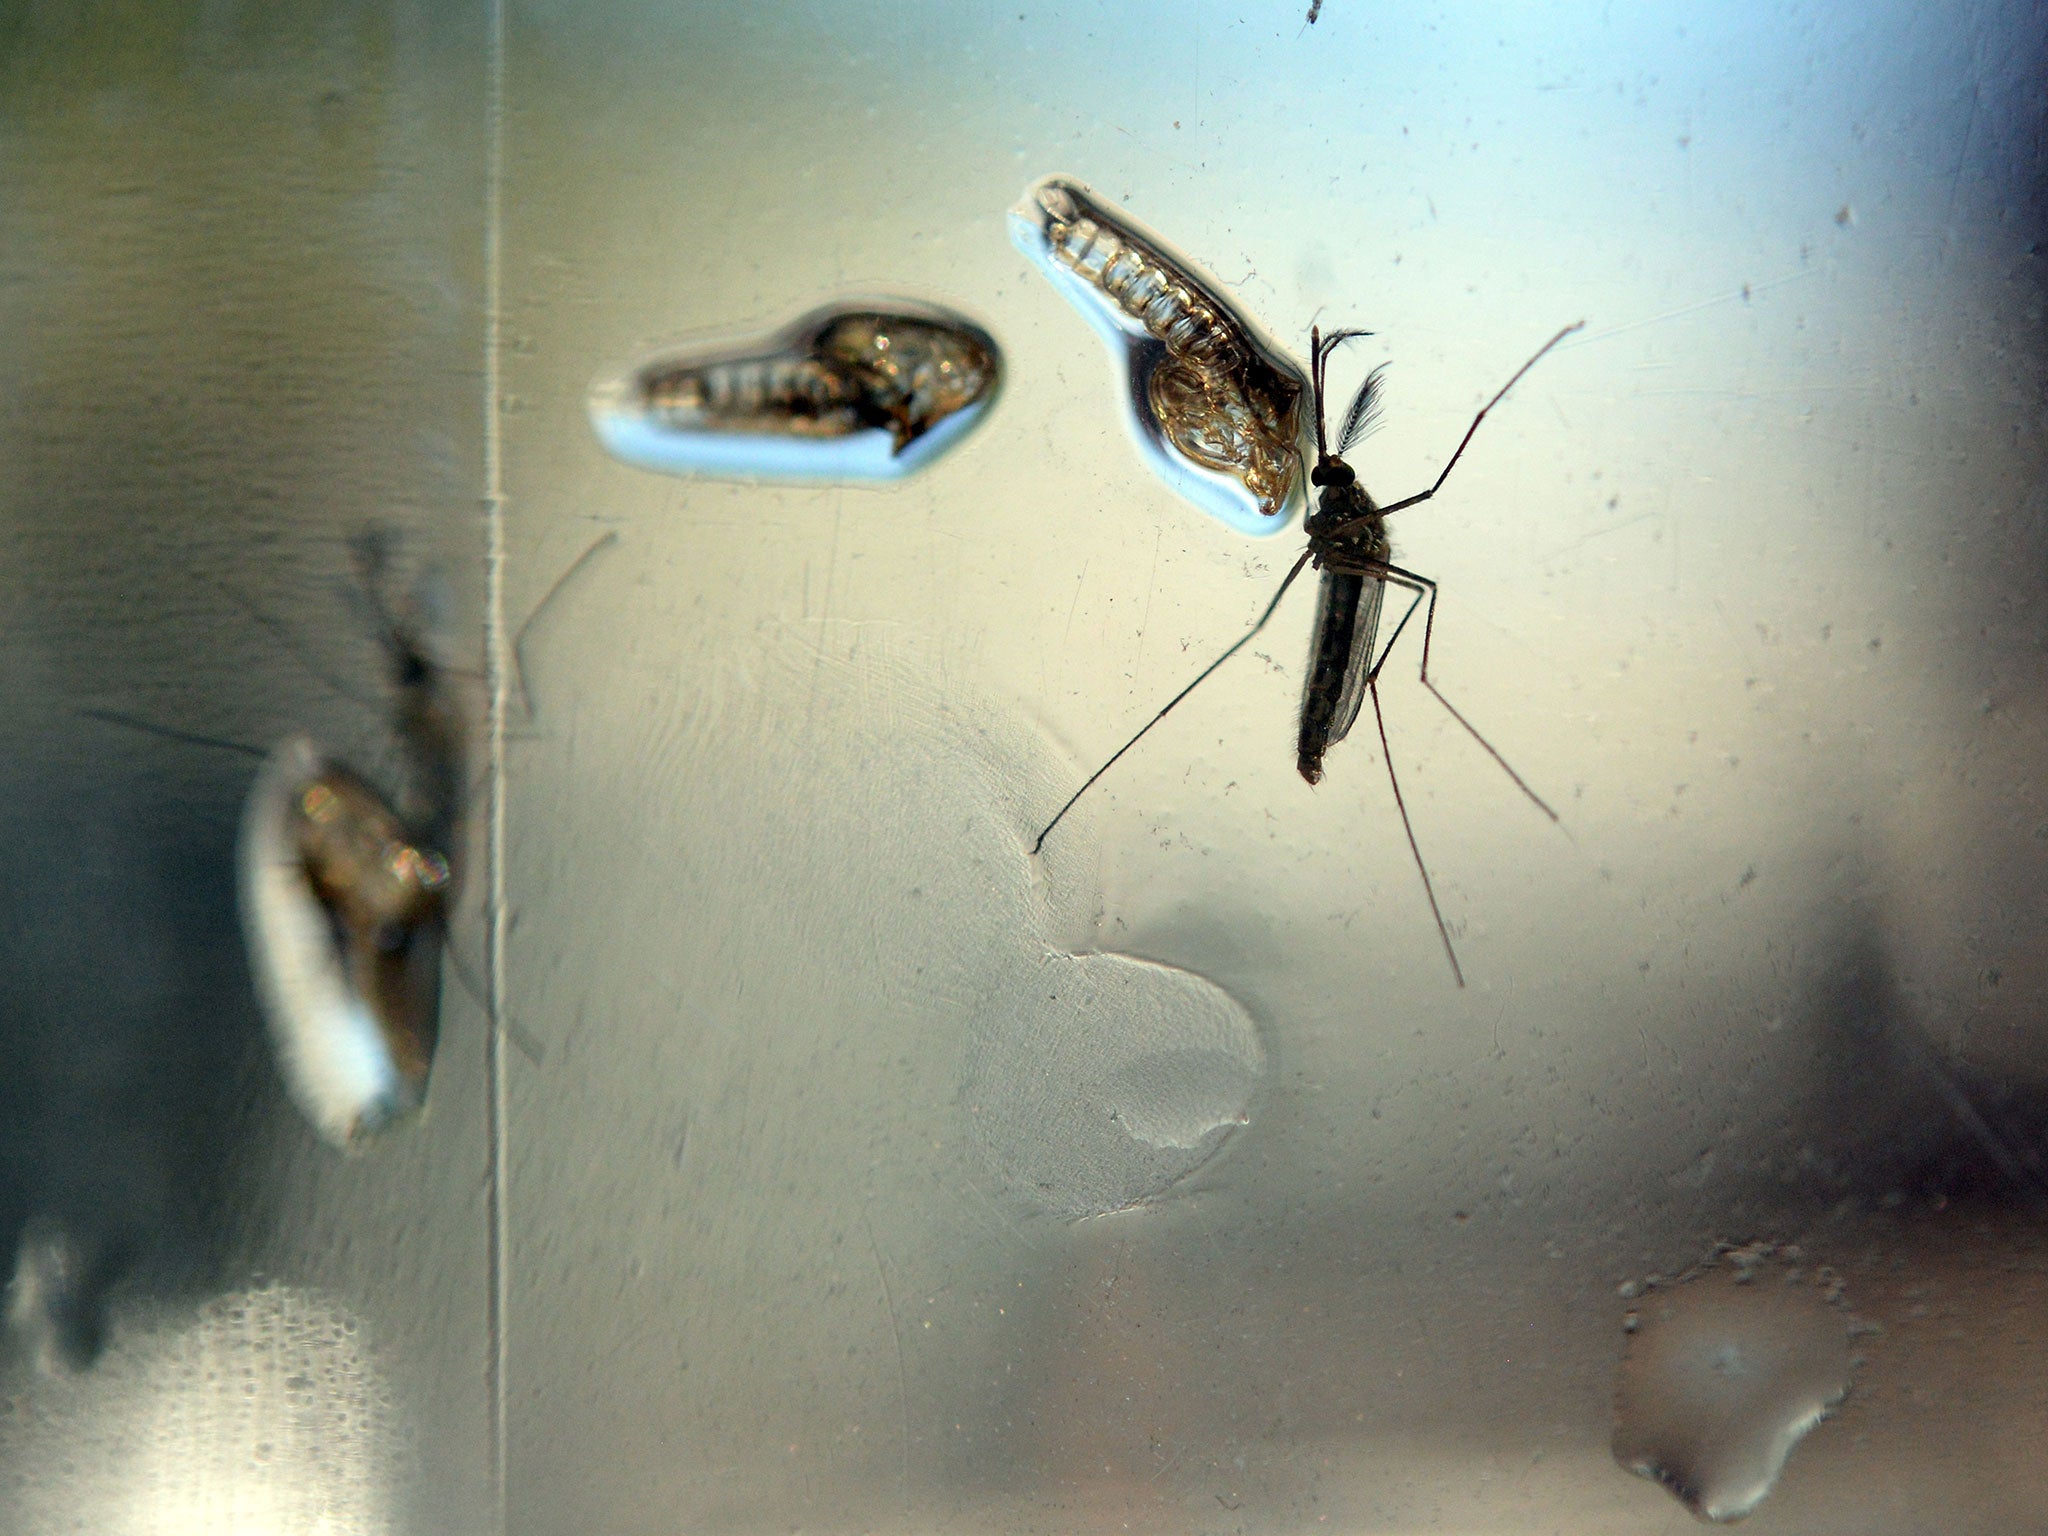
x: 847, y: 392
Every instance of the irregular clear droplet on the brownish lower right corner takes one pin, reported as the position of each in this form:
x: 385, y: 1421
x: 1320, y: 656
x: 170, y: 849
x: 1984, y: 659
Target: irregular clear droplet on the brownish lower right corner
x: 1725, y: 1373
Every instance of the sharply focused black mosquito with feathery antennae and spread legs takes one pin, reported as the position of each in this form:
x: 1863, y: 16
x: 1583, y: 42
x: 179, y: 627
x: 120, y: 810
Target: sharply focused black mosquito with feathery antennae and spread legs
x: 1351, y: 548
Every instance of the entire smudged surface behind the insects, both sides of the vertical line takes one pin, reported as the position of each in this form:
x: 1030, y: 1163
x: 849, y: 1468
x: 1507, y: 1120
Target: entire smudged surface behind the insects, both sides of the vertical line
x: 861, y: 1175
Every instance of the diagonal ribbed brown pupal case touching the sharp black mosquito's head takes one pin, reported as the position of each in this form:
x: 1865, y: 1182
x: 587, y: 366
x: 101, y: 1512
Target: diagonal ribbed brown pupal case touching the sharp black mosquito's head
x: 1213, y: 404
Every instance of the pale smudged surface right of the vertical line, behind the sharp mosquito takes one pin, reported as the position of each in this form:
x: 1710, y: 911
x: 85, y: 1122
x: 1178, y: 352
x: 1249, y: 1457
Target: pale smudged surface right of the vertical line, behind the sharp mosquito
x: 1742, y: 581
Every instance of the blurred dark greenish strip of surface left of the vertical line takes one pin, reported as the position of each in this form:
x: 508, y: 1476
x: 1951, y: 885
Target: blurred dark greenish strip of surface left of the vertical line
x: 241, y: 296
